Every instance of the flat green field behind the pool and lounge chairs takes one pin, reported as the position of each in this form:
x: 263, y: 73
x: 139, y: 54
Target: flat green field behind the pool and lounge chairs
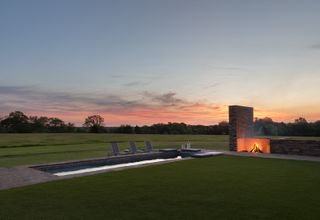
x: 27, y: 149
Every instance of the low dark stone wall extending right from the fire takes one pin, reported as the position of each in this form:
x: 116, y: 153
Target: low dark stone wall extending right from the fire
x: 295, y: 147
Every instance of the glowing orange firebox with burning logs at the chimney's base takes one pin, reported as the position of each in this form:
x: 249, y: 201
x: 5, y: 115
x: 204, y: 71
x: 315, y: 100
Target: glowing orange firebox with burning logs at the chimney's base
x: 254, y: 145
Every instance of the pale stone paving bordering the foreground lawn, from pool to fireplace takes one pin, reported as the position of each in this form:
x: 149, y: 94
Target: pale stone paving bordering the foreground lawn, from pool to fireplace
x: 23, y: 175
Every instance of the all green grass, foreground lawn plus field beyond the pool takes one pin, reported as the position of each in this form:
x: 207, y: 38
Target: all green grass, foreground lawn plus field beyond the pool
x: 224, y: 187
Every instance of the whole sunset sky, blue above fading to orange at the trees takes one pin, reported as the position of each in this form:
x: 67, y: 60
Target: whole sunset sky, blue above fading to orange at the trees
x: 157, y: 61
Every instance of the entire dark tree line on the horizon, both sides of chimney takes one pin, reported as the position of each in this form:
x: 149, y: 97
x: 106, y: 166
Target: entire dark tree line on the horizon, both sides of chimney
x: 18, y: 122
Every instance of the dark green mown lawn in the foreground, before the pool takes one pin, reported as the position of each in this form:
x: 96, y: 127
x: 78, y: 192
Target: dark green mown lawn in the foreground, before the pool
x: 222, y: 187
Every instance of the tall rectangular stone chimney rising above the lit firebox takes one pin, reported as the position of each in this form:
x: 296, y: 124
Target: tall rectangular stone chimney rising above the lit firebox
x: 240, y: 124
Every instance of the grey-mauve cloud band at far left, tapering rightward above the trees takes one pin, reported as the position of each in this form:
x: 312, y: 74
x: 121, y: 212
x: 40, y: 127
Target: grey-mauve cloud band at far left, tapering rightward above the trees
x: 61, y: 100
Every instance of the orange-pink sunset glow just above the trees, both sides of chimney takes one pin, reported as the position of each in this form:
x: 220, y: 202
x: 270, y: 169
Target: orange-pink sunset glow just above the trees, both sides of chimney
x: 198, y: 113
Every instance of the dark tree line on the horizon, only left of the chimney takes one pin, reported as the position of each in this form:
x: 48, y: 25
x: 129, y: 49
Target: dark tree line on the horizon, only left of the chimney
x: 18, y: 122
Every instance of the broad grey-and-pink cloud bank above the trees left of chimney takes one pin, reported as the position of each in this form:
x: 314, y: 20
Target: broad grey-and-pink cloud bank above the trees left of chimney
x: 144, y: 108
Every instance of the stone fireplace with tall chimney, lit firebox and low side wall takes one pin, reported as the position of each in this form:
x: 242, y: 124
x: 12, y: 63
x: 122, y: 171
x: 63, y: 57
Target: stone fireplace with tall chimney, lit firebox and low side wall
x: 242, y: 139
